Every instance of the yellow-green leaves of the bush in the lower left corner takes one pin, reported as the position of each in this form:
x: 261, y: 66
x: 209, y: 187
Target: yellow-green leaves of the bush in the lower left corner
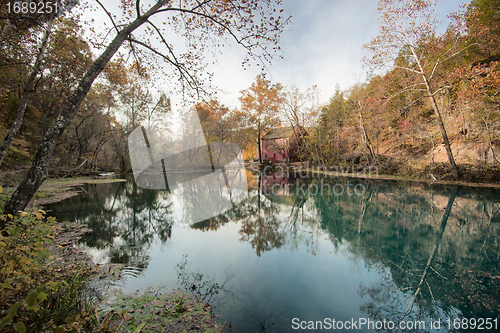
x: 27, y: 282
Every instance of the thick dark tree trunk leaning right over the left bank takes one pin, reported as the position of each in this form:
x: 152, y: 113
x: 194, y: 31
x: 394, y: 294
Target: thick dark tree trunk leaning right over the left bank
x: 39, y: 169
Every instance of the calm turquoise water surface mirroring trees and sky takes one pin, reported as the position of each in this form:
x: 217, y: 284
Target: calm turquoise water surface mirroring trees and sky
x: 304, y: 252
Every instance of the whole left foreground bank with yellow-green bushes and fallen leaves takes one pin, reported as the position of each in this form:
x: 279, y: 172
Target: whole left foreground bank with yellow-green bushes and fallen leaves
x: 49, y: 284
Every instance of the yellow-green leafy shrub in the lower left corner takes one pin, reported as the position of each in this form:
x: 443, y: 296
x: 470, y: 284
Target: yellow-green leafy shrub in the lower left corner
x: 35, y: 295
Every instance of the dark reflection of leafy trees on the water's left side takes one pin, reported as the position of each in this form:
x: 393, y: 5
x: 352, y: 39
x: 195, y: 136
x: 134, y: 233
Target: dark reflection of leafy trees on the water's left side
x: 125, y: 221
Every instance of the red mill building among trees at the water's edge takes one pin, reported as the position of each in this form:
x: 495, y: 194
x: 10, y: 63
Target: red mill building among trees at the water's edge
x: 276, y: 145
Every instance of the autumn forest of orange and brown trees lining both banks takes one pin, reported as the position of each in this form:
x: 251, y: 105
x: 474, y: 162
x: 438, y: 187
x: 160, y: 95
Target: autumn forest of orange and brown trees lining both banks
x: 437, y: 104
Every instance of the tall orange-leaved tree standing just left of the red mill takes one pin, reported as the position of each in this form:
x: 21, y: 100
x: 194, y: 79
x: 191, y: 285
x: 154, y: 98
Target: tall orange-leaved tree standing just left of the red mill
x: 262, y: 101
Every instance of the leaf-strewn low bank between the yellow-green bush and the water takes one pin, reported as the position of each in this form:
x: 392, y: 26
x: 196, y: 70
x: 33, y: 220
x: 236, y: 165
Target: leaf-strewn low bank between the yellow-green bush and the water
x: 150, y: 311
